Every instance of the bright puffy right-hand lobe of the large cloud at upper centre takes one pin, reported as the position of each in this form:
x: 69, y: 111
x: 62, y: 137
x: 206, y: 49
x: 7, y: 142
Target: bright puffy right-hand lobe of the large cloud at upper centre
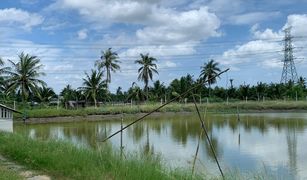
x: 181, y: 26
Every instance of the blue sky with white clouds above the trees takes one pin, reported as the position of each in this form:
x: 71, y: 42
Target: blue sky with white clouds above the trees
x: 69, y: 35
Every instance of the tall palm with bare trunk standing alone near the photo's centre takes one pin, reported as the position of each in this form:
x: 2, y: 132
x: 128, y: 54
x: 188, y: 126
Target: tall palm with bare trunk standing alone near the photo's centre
x: 148, y: 67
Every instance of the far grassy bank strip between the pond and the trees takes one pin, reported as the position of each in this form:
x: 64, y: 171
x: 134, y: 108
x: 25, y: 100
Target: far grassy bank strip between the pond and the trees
x: 174, y: 107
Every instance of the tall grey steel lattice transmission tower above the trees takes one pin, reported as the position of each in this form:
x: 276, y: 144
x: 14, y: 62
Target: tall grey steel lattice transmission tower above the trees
x: 289, y: 70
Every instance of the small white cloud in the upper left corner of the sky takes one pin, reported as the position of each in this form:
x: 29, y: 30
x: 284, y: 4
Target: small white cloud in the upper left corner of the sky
x: 12, y: 16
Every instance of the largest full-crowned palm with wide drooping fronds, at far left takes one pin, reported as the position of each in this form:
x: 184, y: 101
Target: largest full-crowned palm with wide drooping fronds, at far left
x: 24, y: 76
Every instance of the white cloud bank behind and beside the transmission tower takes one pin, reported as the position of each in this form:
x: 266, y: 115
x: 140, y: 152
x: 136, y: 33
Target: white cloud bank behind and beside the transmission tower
x: 266, y: 50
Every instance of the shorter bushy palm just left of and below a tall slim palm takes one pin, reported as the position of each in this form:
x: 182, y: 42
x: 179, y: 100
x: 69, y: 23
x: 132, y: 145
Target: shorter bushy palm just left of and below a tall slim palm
x: 93, y: 84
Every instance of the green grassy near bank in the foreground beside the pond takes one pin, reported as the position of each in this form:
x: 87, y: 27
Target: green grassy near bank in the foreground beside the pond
x: 64, y: 160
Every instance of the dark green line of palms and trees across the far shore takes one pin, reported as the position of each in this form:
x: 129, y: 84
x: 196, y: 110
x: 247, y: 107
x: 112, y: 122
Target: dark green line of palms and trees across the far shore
x: 21, y: 82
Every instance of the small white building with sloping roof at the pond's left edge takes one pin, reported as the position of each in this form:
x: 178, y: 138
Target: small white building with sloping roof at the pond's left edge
x: 6, y: 118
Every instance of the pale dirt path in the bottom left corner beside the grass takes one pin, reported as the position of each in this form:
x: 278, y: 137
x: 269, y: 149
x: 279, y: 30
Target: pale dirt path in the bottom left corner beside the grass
x: 22, y: 171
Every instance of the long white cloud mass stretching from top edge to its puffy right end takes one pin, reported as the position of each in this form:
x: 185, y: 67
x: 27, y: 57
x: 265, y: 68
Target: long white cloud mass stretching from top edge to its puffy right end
x: 158, y: 23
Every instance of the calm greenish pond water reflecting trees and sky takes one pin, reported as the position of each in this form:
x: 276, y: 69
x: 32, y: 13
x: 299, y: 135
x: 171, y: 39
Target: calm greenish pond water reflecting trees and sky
x: 274, y: 142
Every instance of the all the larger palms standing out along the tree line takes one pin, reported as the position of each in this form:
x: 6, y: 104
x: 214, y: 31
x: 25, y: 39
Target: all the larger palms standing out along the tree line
x: 22, y: 78
